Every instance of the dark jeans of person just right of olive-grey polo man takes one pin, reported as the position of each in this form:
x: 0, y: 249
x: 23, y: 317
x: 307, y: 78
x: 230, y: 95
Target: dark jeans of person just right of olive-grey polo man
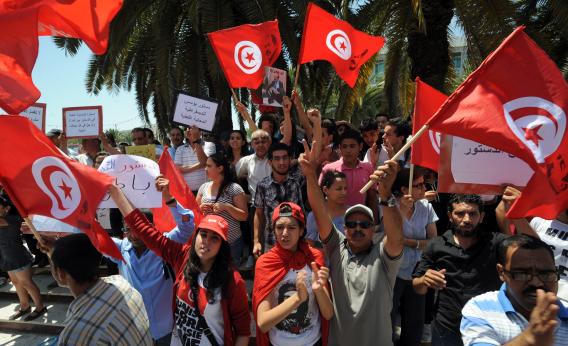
x: 411, y: 308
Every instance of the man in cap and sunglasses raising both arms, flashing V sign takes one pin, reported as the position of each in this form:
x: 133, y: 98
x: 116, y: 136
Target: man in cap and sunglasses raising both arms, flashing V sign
x: 362, y: 273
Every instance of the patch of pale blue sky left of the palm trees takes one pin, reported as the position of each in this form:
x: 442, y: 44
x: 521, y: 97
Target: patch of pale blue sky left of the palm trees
x: 61, y: 80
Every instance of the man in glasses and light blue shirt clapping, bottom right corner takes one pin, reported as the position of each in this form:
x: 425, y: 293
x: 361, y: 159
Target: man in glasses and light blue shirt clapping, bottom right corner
x: 525, y: 311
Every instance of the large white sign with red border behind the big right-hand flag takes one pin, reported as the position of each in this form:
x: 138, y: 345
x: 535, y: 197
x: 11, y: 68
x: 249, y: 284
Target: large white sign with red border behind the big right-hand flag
x: 469, y: 167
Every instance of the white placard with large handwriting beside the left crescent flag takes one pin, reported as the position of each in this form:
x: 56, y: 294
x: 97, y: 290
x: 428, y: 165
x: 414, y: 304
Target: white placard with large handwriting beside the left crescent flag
x: 136, y: 176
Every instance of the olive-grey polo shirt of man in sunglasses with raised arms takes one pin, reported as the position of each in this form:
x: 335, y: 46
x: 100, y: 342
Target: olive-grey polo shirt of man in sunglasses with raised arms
x: 362, y: 287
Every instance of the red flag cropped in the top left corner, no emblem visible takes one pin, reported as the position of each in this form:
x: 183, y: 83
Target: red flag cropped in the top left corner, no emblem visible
x: 21, y: 21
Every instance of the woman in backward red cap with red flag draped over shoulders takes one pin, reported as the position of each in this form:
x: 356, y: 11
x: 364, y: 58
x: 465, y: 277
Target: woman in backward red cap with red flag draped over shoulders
x: 291, y: 309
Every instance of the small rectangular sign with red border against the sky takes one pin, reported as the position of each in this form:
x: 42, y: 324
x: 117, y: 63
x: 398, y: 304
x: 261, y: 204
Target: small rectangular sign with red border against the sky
x: 83, y: 122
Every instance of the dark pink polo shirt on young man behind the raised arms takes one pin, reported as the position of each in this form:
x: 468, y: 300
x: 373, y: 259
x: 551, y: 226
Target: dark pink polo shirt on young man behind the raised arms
x: 356, y: 178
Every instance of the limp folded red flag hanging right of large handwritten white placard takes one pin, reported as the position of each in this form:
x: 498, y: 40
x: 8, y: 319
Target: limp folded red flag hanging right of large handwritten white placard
x: 163, y: 219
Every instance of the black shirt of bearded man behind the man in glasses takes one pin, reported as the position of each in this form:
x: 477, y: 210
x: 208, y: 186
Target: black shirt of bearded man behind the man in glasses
x: 469, y: 272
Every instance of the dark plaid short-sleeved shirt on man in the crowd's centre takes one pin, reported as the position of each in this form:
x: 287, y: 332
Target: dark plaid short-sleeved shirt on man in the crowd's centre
x: 269, y: 194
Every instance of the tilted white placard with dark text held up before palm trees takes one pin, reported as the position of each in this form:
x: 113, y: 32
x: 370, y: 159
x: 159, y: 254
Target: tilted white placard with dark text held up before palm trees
x: 192, y: 111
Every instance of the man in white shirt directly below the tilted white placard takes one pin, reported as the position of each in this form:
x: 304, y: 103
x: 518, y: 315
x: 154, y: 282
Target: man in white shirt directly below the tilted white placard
x: 192, y: 157
